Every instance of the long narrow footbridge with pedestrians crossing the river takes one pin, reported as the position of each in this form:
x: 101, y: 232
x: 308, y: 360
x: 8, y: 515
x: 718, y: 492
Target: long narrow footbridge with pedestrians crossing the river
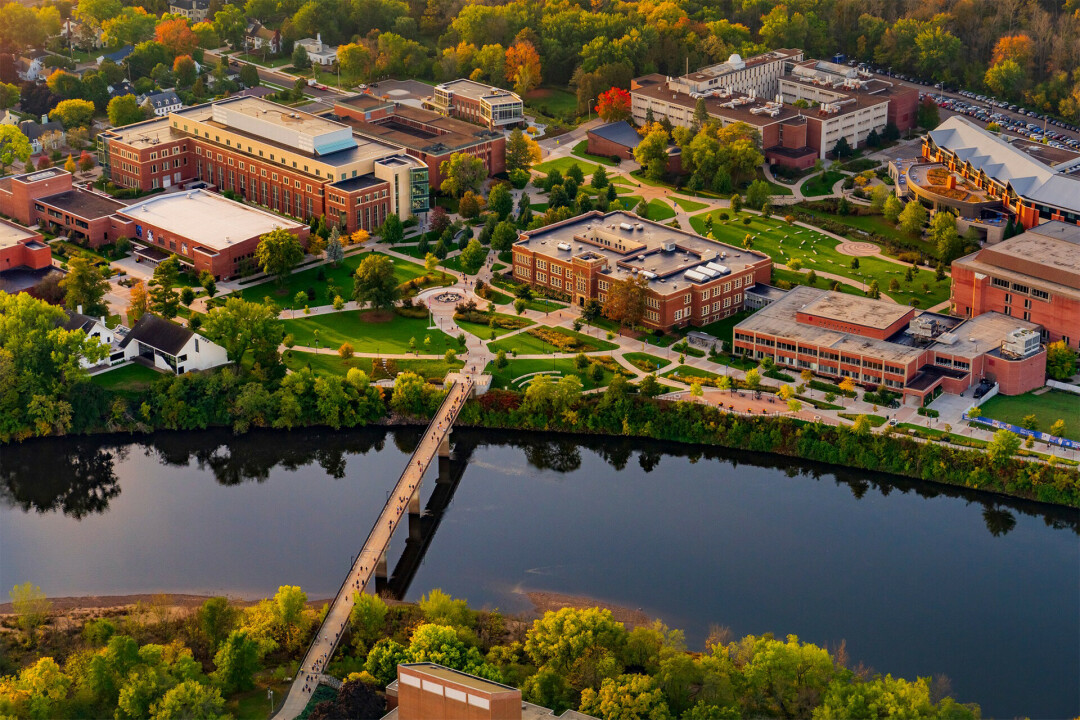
x: 373, y: 555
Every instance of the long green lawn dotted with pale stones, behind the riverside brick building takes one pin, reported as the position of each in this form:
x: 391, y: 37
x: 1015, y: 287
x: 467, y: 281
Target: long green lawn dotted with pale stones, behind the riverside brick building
x: 784, y: 242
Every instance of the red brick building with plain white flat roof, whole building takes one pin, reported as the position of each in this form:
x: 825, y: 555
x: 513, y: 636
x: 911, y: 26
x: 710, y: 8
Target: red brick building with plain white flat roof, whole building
x: 206, y: 230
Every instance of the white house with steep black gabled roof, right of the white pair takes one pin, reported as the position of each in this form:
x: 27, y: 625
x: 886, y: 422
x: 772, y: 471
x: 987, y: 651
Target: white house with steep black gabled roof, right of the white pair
x: 171, y: 347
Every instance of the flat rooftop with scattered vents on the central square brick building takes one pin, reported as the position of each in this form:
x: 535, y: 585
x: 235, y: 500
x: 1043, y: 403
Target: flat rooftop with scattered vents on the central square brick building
x: 632, y: 246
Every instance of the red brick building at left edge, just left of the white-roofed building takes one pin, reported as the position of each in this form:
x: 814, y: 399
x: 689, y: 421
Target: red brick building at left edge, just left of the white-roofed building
x: 49, y: 199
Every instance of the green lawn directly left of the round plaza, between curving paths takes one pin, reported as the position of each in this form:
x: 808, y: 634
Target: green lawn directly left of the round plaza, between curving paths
x: 389, y: 337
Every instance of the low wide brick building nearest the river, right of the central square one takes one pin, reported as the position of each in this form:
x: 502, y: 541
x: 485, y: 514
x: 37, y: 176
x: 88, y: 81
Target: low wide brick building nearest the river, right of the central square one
x: 876, y: 344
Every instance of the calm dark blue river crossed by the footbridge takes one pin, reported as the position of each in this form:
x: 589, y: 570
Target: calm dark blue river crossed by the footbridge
x: 917, y: 580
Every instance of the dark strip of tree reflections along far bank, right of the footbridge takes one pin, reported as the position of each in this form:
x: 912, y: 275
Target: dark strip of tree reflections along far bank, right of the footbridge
x: 563, y: 454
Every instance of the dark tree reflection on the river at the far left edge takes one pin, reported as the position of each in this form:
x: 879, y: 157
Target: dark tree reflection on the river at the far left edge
x: 76, y: 477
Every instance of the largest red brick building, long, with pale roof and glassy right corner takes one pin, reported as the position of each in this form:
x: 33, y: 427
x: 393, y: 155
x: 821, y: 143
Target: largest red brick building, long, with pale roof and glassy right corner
x: 287, y: 160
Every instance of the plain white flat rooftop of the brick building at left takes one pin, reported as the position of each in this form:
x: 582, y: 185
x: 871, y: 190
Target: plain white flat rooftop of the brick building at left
x: 207, y: 219
